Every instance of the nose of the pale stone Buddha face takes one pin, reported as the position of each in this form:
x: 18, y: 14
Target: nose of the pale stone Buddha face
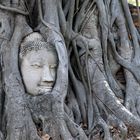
x: 46, y: 75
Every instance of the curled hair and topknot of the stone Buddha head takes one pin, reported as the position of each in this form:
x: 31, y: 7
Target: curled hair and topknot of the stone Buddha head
x: 34, y: 42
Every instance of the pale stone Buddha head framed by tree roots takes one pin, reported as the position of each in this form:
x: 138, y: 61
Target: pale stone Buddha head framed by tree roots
x: 38, y: 64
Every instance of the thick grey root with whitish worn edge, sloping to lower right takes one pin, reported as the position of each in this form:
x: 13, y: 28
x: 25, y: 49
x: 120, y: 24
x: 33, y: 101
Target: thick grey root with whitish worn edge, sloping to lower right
x: 105, y: 95
